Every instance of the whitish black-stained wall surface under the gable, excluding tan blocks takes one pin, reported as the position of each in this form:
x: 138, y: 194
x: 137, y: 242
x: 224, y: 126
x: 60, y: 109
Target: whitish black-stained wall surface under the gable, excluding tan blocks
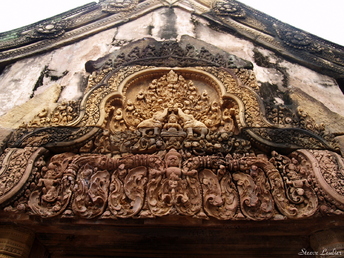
x: 65, y: 66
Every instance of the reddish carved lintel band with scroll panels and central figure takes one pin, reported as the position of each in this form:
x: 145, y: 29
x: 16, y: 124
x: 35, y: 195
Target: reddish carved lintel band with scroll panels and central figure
x: 144, y: 186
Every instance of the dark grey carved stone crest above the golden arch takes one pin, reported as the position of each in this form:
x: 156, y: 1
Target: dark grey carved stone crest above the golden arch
x: 168, y: 53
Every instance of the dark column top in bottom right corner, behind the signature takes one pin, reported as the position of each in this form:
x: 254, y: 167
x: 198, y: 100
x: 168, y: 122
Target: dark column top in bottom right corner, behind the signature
x: 328, y: 243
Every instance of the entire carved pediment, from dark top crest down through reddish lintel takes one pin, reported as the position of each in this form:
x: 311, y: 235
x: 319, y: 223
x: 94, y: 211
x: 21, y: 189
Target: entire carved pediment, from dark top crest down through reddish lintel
x: 156, y: 140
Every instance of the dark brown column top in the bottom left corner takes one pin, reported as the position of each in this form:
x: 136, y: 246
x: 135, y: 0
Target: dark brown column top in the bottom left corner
x: 15, y: 241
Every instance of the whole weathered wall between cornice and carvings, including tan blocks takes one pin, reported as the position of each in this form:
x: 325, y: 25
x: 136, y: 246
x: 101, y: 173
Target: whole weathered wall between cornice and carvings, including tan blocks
x: 38, y: 82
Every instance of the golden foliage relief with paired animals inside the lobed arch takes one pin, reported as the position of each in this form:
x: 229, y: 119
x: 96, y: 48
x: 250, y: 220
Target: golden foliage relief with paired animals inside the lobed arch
x: 150, y: 107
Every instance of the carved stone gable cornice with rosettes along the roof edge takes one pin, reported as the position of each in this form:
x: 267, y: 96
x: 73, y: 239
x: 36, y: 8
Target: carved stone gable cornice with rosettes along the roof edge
x: 294, y: 44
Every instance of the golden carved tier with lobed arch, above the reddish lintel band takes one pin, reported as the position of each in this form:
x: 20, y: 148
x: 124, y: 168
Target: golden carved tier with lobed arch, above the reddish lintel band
x: 159, y: 103
